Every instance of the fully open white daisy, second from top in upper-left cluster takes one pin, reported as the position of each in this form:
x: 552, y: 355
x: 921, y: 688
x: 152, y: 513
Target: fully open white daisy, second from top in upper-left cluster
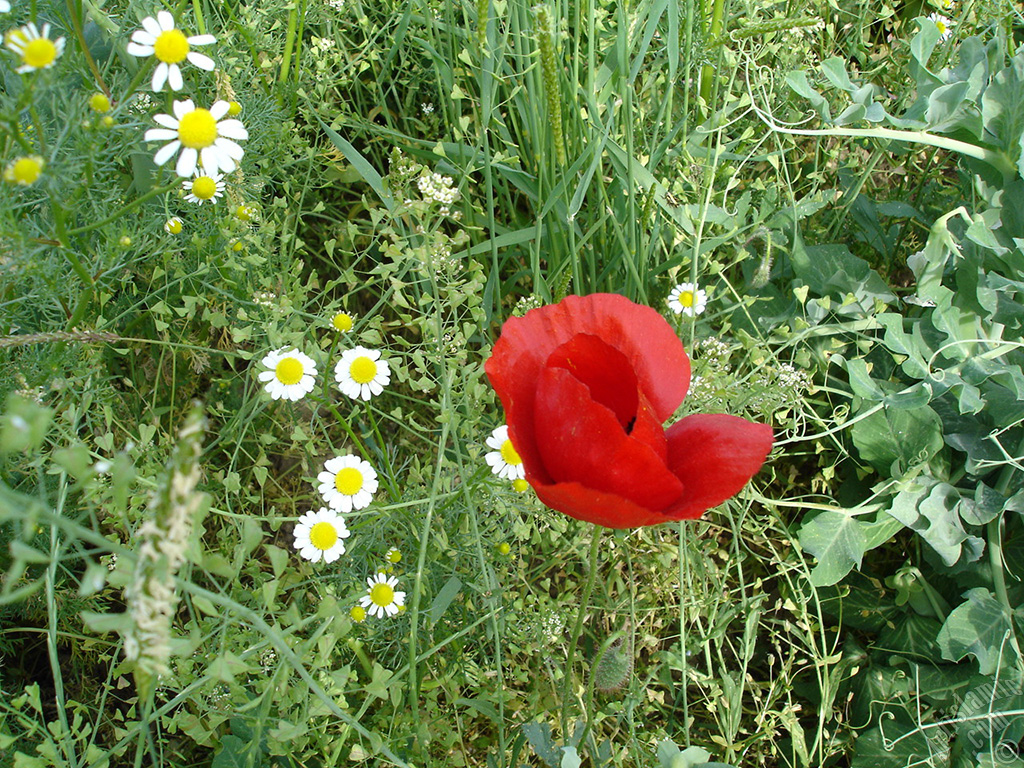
x: 200, y: 137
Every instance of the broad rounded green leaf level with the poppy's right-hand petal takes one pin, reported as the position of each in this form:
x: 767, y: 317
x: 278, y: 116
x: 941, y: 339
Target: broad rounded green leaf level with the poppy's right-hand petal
x: 895, y: 441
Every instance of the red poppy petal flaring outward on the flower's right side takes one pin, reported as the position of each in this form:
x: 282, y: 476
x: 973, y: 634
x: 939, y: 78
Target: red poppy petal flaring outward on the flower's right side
x: 714, y: 456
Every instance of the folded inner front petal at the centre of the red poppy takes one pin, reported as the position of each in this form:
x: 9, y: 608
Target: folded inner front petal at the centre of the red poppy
x: 581, y: 441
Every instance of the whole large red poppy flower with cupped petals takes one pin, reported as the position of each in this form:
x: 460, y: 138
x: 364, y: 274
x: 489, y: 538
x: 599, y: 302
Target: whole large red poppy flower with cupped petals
x: 587, y: 385
